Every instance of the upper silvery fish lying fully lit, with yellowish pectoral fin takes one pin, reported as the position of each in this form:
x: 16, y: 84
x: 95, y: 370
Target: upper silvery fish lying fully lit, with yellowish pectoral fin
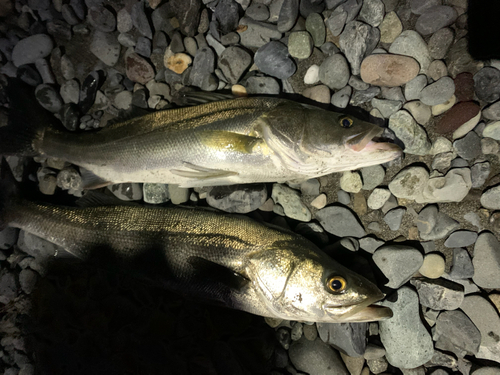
x: 222, y: 142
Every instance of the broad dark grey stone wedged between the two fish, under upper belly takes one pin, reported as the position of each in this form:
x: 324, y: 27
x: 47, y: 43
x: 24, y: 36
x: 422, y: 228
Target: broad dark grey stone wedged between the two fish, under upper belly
x: 238, y: 198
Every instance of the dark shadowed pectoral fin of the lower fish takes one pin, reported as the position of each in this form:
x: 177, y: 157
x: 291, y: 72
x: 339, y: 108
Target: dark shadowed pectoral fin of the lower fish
x: 209, y: 270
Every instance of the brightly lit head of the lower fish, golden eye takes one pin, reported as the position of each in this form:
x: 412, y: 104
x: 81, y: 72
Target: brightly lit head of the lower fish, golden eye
x: 297, y: 283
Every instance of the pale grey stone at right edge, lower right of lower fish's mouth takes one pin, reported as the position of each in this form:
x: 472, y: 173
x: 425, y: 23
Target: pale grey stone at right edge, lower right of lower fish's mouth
x: 484, y: 316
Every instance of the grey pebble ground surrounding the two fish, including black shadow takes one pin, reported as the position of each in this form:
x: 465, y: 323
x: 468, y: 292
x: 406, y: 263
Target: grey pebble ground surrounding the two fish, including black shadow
x: 424, y: 227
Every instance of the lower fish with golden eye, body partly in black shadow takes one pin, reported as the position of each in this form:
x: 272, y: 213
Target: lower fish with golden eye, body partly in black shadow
x: 230, y: 260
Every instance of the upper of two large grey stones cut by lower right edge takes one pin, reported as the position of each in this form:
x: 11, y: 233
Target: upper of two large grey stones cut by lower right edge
x: 486, y: 261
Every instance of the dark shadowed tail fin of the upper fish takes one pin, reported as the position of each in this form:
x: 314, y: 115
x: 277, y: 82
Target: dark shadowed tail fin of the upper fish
x: 27, y: 121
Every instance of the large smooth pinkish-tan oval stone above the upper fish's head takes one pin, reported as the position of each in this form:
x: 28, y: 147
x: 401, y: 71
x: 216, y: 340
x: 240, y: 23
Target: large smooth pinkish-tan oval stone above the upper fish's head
x: 389, y: 70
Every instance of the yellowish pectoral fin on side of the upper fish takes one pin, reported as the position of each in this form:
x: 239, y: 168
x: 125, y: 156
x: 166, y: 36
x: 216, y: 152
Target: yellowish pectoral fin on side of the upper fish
x: 228, y: 141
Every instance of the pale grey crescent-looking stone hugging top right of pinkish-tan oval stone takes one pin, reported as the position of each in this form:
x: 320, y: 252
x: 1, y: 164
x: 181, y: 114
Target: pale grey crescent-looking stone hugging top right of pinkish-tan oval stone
x: 410, y: 43
